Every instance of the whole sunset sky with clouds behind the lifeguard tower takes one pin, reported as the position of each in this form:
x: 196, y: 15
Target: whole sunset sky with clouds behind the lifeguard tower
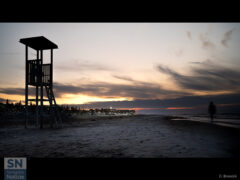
x: 144, y: 66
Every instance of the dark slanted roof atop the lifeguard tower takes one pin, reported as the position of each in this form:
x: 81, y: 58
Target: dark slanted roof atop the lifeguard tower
x: 38, y: 43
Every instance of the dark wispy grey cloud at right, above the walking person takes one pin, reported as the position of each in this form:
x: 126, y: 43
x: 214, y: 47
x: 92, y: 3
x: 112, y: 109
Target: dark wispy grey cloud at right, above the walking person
x: 206, y: 76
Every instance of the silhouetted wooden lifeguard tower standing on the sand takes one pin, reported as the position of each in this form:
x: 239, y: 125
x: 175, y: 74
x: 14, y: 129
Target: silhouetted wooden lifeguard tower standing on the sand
x: 40, y: 76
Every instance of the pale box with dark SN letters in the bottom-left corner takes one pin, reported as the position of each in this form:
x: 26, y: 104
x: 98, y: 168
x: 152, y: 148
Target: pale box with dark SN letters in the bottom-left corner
x: 14, y: 163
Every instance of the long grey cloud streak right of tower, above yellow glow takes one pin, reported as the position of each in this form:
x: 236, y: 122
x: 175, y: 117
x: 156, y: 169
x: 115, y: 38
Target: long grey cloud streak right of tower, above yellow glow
x: 137, y: 90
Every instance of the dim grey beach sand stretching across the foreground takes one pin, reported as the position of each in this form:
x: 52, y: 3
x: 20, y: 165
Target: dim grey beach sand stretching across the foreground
x: 139, y: 136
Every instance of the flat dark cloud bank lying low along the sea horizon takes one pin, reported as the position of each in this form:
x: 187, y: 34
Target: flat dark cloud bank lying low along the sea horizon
x: 199, y: 103
